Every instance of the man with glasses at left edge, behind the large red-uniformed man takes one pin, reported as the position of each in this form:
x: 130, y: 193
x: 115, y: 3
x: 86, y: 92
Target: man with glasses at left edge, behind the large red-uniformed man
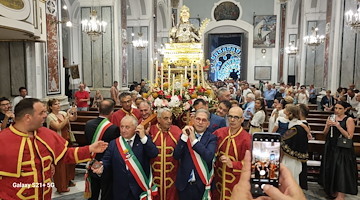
x: 6, y: 115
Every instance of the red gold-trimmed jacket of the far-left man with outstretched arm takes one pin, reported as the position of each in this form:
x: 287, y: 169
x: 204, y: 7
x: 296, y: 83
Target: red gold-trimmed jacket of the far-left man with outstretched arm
x: 25, y: 162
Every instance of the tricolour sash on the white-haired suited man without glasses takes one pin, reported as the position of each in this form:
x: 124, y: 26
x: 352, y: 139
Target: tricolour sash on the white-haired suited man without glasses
x: 136, y: 170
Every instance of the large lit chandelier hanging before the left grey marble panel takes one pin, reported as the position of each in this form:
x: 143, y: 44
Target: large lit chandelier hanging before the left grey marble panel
x: 93, y: 27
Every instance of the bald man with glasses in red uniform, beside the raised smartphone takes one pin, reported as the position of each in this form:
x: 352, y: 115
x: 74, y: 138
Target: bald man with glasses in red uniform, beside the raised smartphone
x: 233, y: 141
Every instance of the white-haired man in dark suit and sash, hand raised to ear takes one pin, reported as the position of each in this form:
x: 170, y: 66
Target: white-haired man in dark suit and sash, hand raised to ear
x: 124, y: 185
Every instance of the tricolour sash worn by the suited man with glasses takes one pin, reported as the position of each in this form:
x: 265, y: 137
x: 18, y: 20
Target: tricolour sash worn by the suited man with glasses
x: 203, y: 171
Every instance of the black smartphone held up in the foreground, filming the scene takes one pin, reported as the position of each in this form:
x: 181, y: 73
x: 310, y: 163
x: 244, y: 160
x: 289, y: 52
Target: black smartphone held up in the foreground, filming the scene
x: 265, y: 163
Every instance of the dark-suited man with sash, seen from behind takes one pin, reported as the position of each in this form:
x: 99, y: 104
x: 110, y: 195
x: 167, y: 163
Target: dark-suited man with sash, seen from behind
x: 110, y: 132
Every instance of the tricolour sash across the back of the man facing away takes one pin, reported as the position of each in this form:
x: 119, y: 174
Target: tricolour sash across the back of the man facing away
x: 99, y: 133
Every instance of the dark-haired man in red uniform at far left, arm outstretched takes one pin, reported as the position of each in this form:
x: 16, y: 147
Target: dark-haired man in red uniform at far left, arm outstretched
x: 29, y: 150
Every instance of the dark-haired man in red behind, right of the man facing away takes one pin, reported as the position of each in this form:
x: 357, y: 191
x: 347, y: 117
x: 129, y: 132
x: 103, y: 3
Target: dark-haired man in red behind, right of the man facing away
x: 125, y: 102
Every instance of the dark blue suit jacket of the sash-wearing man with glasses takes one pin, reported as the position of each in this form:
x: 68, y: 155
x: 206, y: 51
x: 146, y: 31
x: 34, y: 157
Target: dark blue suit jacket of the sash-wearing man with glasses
x: 206, y: 148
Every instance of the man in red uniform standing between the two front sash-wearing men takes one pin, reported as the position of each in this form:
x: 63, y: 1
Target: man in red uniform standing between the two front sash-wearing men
x: 164, y: 166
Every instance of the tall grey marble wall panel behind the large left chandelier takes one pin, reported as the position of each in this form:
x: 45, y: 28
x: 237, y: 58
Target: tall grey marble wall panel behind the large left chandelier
x: 97, y: 57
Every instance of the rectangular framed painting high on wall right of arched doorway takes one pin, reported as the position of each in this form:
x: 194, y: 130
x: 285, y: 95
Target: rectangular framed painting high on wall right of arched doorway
x: 264, y: 31
